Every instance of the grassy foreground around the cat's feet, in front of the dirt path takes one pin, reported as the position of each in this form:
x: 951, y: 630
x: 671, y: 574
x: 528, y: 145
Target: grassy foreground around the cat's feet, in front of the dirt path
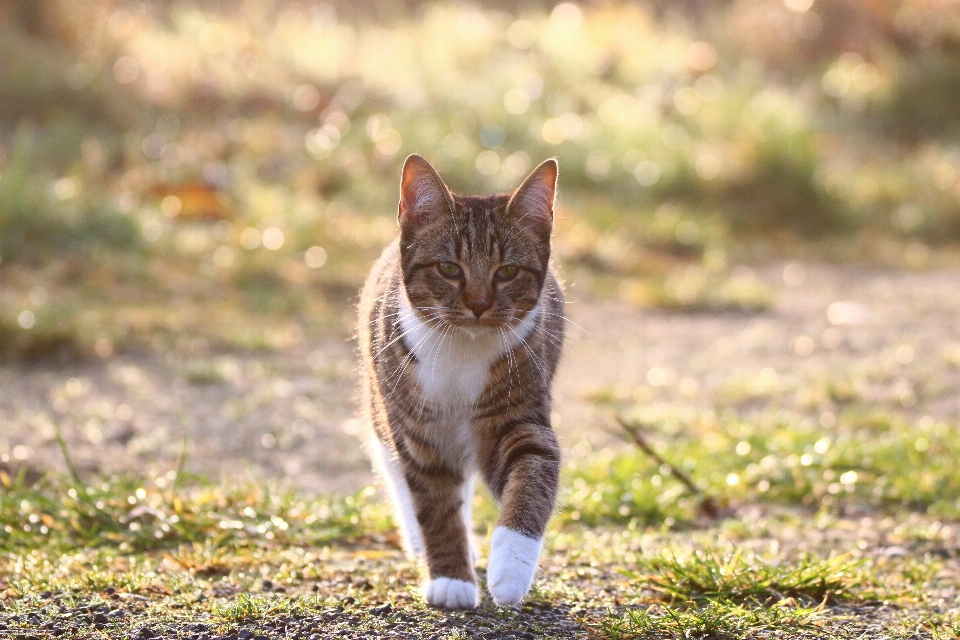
x: 816, y: 530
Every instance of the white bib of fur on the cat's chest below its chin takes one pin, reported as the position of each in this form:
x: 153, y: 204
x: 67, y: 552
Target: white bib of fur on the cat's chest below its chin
x: 453, y: 363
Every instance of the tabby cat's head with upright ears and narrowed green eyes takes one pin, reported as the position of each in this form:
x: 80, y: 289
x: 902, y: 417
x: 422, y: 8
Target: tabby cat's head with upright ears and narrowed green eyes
x: 474, y: 261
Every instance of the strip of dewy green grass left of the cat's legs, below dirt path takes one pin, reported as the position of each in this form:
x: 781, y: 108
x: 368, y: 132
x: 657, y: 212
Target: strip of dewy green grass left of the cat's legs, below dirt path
x: 138, y: 514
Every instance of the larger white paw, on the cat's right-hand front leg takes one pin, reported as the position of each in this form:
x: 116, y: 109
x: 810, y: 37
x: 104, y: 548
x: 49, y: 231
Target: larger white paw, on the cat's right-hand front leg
x: 513, y: 561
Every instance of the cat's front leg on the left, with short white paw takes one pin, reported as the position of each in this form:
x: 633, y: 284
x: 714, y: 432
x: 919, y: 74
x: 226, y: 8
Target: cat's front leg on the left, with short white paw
x: 438, y: 500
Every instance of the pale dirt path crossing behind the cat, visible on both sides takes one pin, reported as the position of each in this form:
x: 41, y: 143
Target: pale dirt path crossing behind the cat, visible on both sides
x: 861, y: 335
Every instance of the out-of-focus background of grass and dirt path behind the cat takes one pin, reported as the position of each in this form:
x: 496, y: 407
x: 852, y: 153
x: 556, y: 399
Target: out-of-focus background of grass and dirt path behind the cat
x: 759, y: 209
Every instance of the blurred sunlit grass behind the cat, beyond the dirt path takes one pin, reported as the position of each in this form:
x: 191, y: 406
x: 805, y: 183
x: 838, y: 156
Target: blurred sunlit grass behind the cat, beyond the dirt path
x: 684, y: 151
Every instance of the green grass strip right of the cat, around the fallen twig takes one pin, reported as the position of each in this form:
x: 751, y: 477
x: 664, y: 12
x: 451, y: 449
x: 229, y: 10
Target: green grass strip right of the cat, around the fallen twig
x: 868, y: 458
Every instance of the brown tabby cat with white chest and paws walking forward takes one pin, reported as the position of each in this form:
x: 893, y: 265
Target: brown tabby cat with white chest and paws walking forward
x: 461, y: 329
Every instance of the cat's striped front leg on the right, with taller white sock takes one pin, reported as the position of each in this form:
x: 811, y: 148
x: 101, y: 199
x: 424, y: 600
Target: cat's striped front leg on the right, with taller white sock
x: 526, y: 475
